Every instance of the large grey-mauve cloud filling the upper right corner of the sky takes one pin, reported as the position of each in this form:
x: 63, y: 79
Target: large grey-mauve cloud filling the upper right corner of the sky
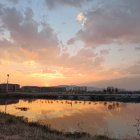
x: 111, y: 22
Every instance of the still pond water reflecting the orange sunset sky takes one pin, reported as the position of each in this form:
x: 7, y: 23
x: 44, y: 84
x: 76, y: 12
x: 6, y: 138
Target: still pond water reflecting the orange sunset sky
x: 115, y: 119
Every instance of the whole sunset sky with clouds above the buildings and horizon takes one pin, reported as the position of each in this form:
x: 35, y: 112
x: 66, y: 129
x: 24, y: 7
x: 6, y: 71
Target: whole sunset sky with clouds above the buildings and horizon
x: 70, y: 42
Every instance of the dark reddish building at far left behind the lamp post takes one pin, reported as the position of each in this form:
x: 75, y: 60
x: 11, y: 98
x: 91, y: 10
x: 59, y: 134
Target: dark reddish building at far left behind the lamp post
x: 9, y: 88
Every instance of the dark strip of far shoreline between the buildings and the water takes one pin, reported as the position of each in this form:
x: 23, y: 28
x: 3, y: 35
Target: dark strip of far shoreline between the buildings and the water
x: 127, y: 98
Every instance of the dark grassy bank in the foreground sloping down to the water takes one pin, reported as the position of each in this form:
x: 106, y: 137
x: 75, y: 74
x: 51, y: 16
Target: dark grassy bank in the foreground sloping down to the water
x: 17, y: 128
